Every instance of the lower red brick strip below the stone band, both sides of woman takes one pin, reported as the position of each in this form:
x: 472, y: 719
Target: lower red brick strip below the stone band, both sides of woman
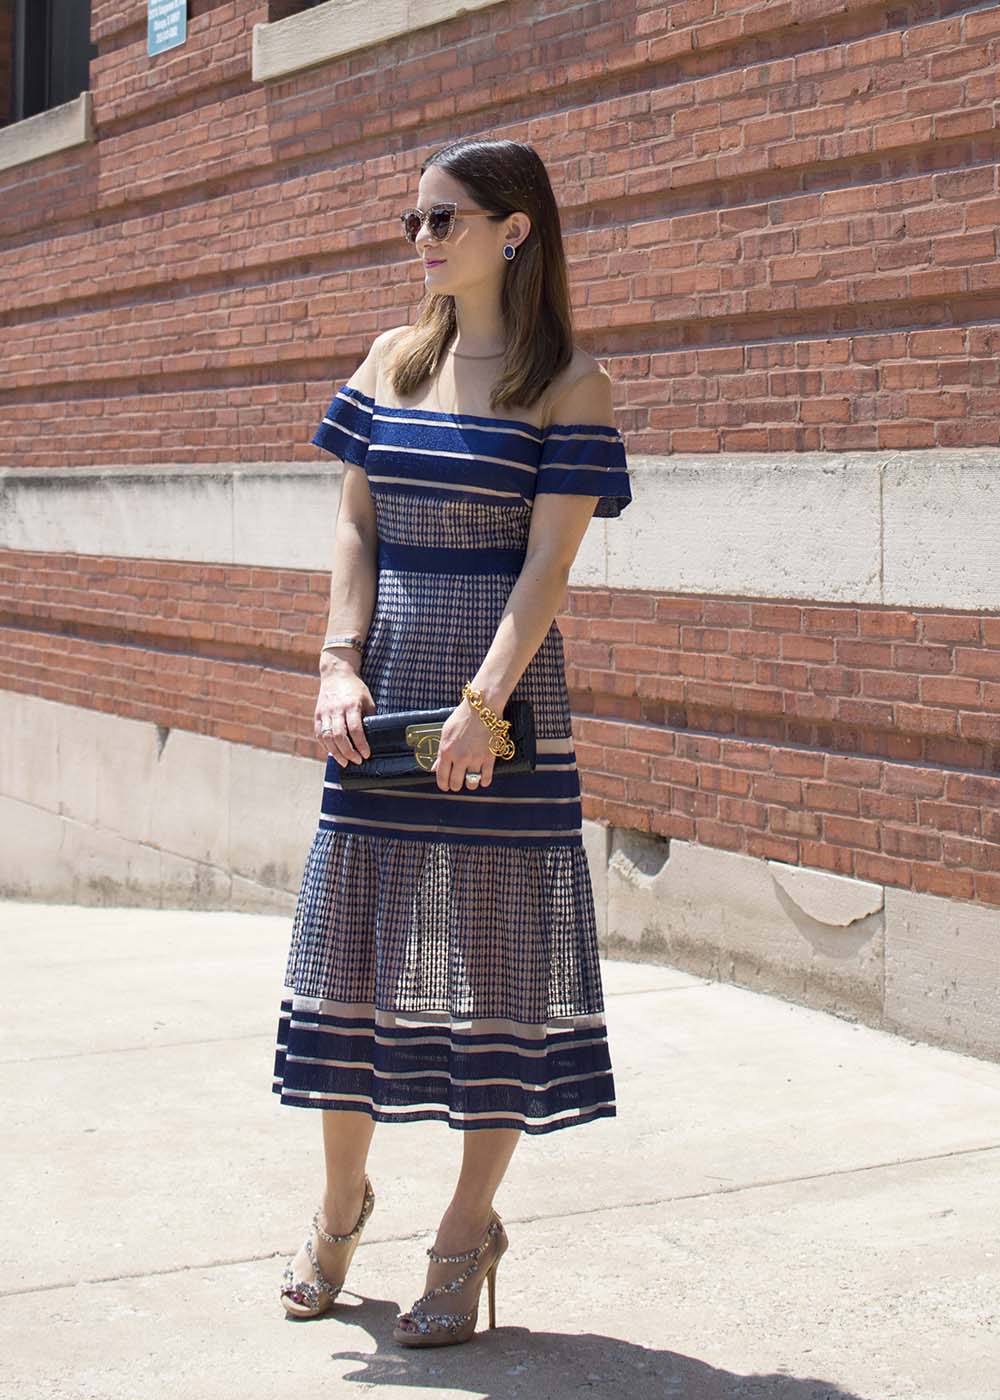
x: 858, y: 740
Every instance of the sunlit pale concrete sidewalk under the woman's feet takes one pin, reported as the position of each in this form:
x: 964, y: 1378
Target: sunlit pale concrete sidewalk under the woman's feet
x: 788, y: 1206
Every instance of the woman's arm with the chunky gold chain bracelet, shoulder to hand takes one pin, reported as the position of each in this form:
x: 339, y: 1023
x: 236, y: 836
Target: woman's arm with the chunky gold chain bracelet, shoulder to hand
x: 558, y: 526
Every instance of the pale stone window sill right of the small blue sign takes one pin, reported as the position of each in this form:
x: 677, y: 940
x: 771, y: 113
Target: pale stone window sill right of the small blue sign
x: 342, y: 27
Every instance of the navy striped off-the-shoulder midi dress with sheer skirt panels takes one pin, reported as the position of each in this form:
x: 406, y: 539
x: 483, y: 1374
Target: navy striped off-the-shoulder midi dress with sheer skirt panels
x: 445, y: 960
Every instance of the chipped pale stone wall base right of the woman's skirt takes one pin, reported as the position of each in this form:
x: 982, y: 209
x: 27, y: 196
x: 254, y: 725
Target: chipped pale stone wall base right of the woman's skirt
x: 898, y: 961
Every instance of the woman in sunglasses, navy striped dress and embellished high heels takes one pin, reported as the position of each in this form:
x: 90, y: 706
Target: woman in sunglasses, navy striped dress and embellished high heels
x: 445, y: 958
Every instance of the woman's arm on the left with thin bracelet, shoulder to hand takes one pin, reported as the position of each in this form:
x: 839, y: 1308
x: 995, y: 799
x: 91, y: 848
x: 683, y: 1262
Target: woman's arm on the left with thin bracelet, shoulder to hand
x: 344, y: 696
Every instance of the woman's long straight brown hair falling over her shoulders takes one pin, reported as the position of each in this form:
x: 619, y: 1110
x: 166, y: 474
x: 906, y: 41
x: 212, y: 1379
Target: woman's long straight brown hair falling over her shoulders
x: 502, y: 178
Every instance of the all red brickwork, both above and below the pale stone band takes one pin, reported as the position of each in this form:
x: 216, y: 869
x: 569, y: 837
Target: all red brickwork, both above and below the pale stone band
x: 782, y: 225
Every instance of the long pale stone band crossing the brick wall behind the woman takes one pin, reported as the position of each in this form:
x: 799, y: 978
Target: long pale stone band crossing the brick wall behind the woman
x: 901, y: 530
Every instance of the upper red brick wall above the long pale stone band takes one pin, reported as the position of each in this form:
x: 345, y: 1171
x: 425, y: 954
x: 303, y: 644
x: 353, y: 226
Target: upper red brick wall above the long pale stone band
x: 781, y: 218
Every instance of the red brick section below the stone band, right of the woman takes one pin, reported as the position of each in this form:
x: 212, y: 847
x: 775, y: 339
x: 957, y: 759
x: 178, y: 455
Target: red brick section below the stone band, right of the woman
x: 858, y: 740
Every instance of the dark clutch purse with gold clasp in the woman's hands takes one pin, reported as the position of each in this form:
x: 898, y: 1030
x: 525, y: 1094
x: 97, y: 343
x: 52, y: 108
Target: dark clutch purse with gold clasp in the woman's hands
x: 404, y: 747
